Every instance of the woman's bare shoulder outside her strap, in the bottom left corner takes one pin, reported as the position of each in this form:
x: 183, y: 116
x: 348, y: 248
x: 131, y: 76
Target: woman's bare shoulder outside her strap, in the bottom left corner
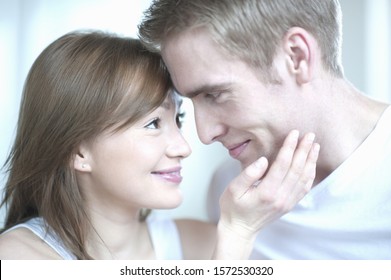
x: 23, y: 244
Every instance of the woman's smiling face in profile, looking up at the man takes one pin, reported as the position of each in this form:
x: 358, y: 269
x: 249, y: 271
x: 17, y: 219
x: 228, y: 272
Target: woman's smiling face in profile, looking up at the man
x: 139, y: 166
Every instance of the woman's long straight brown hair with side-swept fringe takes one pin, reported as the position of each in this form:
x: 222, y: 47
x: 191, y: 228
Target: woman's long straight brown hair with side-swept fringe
x: 81, y: 85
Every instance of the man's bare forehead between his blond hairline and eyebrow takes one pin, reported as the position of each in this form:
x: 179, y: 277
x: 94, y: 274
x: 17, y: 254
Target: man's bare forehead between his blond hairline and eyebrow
x: 196, y: 63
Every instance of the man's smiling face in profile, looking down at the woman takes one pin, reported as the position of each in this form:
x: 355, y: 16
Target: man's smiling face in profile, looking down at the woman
x: 231, y: 104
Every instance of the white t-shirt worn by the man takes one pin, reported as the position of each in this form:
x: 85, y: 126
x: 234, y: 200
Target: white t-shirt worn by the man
x: 346, y: 216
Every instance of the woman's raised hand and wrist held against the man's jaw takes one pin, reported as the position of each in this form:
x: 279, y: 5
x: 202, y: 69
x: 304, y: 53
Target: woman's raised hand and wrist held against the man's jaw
x: 254, y: 199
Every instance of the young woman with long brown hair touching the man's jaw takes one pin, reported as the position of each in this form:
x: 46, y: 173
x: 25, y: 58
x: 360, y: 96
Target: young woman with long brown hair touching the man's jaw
x: 98, y: 144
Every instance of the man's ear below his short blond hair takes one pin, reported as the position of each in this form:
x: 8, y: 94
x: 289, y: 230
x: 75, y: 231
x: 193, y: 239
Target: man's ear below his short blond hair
x: 299, y: 45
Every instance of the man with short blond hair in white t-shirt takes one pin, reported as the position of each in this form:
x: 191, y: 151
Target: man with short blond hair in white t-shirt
x: 256, y: 70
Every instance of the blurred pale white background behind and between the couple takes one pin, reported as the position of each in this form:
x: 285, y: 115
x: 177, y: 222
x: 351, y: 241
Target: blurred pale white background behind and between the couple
x: 28, y: 26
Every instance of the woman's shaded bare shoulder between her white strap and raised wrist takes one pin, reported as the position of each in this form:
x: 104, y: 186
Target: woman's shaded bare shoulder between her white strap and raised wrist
x: 198, y: 238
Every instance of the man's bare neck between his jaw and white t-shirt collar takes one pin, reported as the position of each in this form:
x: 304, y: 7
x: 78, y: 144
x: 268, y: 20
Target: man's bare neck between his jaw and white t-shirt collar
x: 346, y: 119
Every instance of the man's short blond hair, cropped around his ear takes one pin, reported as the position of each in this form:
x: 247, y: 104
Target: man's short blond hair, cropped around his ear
x: 248, y: 29
